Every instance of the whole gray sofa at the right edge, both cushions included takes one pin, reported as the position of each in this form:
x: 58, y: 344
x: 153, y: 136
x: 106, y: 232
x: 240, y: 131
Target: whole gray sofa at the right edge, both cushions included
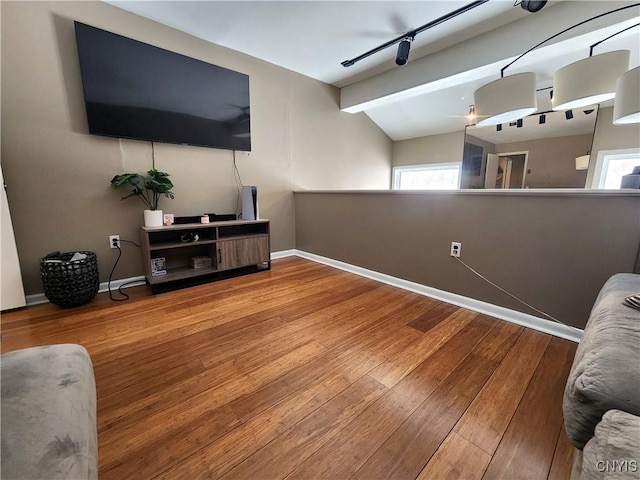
x: 602, y: 395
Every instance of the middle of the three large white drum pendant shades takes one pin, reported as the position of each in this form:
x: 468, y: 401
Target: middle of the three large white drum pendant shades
x: 589, y: 81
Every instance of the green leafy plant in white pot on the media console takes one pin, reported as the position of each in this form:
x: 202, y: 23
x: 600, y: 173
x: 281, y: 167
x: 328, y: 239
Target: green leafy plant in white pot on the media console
x: 148, y: 188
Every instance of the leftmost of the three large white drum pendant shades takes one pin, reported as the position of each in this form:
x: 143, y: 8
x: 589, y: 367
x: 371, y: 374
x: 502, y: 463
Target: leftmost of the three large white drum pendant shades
x: 506, y: 99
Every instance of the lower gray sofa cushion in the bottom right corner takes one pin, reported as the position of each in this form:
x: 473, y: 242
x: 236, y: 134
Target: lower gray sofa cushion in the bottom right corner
x: 614, y: 451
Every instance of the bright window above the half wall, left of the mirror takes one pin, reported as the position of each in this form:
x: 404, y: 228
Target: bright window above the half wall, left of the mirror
x: 437, y: 176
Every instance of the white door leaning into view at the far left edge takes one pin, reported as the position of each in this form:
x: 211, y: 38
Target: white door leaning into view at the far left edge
x: 11, y: 289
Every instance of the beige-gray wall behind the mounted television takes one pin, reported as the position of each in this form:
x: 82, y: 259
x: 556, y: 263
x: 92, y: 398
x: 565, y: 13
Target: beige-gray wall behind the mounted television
x: 58, y: 174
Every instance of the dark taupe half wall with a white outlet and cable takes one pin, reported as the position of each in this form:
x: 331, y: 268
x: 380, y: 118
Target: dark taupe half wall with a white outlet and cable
x: 552, y: 250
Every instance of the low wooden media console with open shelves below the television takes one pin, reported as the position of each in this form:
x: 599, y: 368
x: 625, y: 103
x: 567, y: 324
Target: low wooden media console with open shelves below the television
x: 225, y: 248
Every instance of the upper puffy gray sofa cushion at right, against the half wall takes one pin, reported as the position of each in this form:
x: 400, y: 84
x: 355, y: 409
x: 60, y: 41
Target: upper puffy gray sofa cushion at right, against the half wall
x: 606, y: 370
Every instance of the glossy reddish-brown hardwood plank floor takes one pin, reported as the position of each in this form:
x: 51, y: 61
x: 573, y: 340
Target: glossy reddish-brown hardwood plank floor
x: 305, y: 371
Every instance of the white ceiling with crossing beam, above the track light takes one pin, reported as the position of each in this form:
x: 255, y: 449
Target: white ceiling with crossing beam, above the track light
x: 313, y: 37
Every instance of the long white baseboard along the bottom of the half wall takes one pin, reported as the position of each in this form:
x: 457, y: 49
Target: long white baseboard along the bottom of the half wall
x: 496, y: 311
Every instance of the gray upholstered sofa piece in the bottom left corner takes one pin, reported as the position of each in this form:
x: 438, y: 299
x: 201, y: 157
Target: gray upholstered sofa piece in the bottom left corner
x: 48, y: 414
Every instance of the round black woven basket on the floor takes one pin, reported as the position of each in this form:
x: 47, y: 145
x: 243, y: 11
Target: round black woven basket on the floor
x: 69, y: 283
